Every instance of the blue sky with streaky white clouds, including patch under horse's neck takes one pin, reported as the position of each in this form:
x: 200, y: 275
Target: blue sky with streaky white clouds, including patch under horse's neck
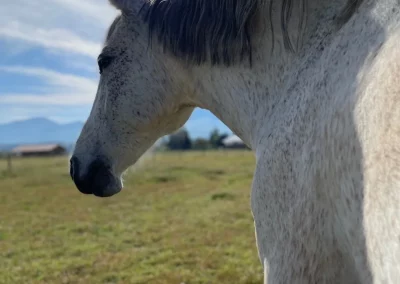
x: 48, y: 61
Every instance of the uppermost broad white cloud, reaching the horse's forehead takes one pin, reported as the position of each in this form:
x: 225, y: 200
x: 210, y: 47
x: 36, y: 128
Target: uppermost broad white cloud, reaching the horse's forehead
x: 75, y: 26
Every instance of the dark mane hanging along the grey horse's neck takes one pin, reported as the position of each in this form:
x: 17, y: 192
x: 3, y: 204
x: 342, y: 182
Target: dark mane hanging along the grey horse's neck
x: 216, y: 30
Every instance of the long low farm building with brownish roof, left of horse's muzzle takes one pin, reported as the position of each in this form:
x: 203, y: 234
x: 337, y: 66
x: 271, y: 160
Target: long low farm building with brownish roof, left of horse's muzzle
x: 39, y: 150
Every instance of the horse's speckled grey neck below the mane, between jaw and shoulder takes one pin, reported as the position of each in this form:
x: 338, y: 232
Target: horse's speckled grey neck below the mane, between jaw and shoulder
x: 245, y: 97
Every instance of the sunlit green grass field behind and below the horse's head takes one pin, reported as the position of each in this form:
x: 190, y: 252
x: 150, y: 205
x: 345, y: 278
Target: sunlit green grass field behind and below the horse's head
x: 181, y: 218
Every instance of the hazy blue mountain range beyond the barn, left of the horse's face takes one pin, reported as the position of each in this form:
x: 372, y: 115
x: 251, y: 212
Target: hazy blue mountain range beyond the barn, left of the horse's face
x: 38, y: 130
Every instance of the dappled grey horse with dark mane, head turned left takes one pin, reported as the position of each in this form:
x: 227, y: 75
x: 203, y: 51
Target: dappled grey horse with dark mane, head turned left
x: 312, y: 86
